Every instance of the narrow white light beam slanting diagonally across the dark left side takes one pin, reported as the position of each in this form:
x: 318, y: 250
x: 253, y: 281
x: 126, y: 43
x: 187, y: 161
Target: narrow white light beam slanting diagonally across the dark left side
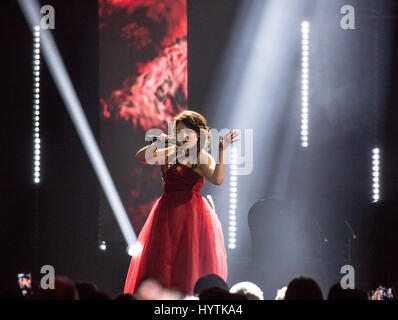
x: 31, y: 11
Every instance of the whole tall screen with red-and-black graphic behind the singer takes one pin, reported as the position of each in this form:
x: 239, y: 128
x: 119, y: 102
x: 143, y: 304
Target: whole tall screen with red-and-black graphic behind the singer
x: 143, y: 68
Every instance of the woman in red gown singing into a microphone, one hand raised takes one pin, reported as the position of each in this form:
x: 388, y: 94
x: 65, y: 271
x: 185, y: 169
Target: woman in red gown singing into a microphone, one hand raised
x: 182, y: 239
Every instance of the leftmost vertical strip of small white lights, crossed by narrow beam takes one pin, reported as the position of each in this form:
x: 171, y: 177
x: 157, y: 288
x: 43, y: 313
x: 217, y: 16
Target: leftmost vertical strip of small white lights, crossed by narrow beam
x: 36, y: 104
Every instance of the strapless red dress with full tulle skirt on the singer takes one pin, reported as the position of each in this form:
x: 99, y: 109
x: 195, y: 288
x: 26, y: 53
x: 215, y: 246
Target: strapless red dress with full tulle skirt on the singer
x: 182, y: 239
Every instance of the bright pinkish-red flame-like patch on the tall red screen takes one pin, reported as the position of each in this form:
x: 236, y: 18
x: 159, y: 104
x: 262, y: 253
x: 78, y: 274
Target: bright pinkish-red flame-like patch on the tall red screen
x: 157, y: 94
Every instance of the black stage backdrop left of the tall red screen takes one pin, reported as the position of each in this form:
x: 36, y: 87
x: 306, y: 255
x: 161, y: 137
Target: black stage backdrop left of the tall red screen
x: 55, y: 222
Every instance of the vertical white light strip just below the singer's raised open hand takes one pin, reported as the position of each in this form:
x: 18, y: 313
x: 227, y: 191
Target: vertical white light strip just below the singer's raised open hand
x: 233, y: 199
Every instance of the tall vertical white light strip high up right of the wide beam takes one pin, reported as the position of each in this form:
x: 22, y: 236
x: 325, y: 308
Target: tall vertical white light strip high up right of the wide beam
x: 305, y: 30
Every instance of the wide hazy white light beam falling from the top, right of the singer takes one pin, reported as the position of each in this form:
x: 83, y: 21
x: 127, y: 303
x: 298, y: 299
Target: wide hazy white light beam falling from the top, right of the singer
x: 251, y: 91
